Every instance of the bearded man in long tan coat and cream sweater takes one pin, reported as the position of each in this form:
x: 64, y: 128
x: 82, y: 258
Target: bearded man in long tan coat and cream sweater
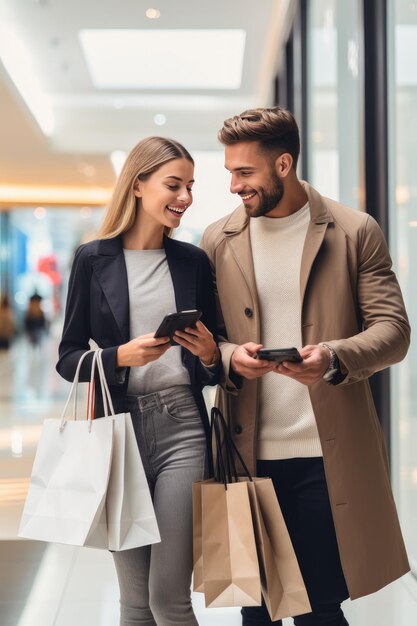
x: 293, y: 268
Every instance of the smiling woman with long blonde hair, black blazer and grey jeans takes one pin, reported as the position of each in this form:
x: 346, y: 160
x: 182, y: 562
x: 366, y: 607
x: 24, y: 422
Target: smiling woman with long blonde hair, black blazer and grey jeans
x: 120, y: 288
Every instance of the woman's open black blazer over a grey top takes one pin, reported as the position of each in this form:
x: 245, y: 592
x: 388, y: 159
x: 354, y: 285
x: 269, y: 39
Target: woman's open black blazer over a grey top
x: 98, y: 308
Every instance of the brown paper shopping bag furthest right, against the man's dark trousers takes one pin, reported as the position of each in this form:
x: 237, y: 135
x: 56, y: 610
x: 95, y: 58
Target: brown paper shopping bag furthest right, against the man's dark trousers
x: 283, y: 587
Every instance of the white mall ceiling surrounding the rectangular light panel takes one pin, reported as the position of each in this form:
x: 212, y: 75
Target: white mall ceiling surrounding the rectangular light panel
x: 90, y: 123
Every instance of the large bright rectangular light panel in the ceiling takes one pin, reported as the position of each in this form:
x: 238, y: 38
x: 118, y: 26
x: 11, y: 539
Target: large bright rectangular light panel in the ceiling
x: 164, y: 59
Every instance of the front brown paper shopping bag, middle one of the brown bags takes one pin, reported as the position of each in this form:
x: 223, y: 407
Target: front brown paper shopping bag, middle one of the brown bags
x: 230, y: 569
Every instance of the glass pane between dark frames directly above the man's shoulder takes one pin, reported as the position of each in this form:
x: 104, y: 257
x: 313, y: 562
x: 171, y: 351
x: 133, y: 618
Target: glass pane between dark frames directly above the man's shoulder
x: 334, y: 99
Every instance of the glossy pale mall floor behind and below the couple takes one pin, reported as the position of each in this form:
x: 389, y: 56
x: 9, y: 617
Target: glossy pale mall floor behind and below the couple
x: 53, y: 585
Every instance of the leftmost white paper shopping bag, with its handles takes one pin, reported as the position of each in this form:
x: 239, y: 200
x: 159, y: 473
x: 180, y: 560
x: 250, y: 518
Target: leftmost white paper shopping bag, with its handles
x: 66, y: 497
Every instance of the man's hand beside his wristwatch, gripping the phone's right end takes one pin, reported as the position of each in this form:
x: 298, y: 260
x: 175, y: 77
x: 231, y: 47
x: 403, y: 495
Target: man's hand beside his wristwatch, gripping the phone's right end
x: 316, y: 360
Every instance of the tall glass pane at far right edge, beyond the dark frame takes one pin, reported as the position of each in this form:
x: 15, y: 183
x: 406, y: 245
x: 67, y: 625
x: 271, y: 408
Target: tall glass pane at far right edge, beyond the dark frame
x: 402, y: 89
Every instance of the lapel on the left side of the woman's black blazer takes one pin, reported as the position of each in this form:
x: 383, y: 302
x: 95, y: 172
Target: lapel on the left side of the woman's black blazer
x: 110, y: 269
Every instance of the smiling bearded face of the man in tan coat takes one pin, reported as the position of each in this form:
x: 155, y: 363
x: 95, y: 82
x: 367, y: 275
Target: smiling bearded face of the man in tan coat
x: 254, y: 178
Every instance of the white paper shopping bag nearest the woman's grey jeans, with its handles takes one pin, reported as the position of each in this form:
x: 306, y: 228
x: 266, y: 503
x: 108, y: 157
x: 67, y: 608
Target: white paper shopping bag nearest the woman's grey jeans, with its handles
x: 131, y: 520
